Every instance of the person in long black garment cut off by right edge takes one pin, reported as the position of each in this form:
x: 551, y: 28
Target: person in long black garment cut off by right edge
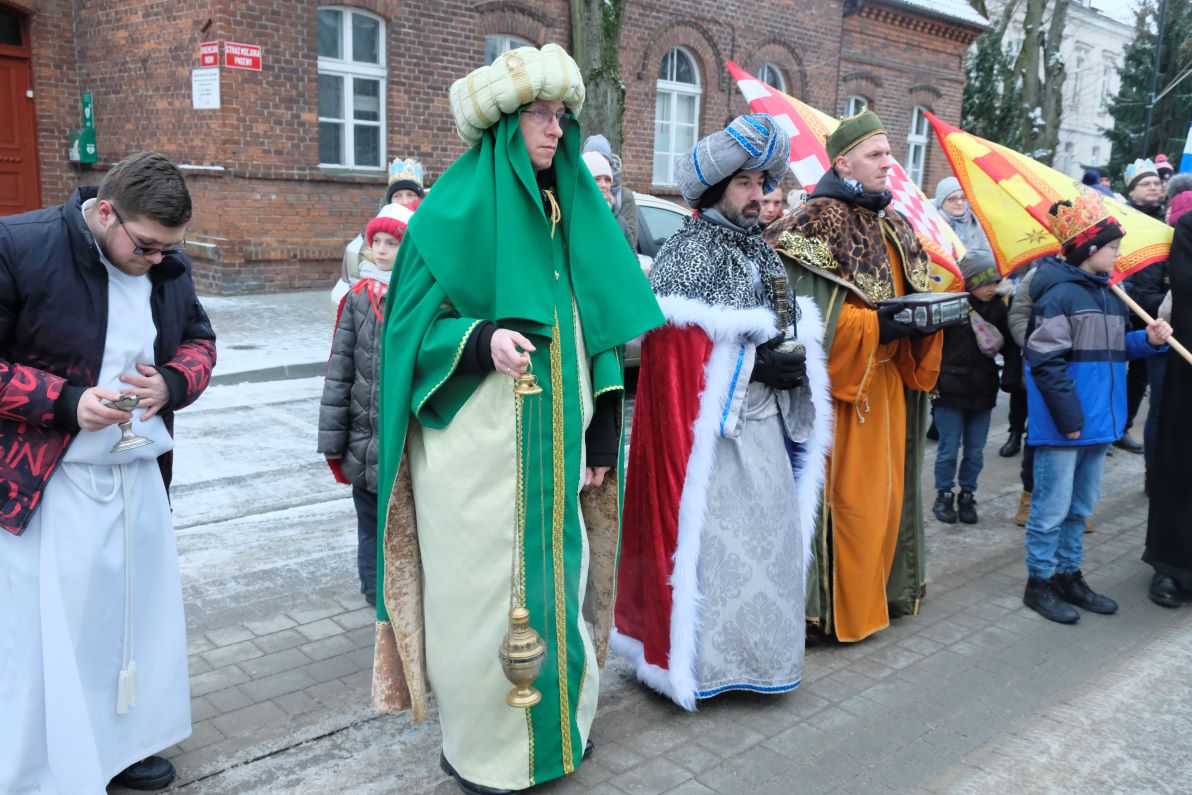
x: 1170, y: 518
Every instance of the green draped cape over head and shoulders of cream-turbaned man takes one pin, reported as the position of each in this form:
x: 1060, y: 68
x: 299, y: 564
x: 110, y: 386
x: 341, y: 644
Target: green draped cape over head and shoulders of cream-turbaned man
x: 480, y: 250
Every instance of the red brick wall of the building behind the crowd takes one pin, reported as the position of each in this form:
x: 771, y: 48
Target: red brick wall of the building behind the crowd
x: 269, y: 219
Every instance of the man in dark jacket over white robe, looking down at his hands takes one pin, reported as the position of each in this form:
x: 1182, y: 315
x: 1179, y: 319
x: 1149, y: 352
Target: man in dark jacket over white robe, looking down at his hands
x: 97, y: 305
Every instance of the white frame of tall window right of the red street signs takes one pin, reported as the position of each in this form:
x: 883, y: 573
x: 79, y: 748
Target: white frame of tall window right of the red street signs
x: 347, y: 70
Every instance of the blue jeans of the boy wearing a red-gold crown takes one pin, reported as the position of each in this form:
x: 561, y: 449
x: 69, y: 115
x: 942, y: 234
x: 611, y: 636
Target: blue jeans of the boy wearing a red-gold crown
x: 1067, y: 487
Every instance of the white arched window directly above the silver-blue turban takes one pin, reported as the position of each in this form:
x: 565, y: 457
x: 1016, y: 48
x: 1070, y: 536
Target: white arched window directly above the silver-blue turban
x: 676, y: 113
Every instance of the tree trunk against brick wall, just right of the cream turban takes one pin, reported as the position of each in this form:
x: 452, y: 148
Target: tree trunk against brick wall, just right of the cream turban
x: 595, y: 45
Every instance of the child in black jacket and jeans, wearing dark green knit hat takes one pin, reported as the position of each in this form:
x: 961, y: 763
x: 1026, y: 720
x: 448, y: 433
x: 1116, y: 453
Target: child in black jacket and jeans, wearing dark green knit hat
x: 968, y: 389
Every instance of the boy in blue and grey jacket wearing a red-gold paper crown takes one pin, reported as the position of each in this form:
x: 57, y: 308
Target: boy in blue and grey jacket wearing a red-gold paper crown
x: 1076, y: 388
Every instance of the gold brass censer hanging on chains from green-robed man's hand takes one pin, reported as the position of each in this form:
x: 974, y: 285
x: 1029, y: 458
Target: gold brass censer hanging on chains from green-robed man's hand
x: 523, y: 651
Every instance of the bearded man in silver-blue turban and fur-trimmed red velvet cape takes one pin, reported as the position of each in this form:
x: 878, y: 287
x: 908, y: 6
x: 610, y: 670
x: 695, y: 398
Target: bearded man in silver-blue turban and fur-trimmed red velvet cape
x: 730, y: 438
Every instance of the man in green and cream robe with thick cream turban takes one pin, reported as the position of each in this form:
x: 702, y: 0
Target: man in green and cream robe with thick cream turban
x: 512, y: 265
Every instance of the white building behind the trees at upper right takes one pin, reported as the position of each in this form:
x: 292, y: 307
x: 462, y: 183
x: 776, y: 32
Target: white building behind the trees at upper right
x: 1092, y: 53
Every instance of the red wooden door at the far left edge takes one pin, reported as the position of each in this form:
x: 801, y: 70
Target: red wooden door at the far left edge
x: 20, y: 179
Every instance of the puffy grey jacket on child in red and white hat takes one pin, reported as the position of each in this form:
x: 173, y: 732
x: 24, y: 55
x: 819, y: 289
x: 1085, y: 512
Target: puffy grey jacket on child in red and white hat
x: 349, y: 413
